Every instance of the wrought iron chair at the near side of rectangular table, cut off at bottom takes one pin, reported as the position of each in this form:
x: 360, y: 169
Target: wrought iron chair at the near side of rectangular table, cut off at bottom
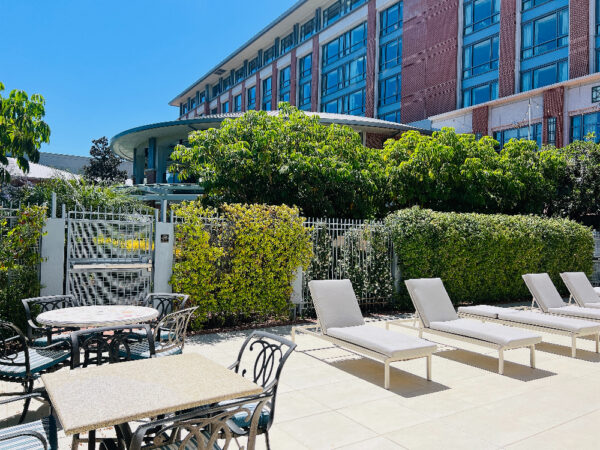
x: 209, y: 428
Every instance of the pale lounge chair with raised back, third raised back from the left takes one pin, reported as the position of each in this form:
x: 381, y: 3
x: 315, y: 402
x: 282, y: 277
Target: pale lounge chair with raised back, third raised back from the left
x: 547, y: 297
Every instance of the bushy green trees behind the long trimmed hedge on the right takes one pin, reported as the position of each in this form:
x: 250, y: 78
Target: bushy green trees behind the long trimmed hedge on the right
x: 457, y: 172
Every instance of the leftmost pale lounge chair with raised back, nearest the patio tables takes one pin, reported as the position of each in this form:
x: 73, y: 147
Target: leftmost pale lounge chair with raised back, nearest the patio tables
x: 341, y: 323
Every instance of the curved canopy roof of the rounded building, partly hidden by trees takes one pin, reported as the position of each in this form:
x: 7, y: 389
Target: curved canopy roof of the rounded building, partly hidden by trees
x: 124, y: 143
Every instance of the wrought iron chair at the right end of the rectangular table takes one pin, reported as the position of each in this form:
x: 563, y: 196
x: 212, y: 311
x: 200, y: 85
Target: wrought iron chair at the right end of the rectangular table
x: 261, y: 358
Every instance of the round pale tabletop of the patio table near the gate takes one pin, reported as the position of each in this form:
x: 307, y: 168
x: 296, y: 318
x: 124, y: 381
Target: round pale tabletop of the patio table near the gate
x: 97, y: 316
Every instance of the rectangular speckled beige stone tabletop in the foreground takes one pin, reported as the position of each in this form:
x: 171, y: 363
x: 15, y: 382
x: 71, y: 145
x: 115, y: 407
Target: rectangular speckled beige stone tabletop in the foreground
x: 102, y: 396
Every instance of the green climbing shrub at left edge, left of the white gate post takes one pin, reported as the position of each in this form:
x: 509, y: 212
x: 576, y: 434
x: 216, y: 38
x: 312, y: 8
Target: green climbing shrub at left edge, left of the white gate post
x: 19, y: 260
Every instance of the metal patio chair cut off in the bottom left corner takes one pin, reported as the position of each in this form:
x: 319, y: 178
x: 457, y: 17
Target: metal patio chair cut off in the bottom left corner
x: 39, y: 434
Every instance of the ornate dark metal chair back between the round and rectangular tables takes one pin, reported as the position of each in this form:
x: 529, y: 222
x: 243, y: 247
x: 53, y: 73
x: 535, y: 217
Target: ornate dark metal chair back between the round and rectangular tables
x: 107, y: 345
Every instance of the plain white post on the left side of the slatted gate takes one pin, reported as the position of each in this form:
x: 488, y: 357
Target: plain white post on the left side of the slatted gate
x: 52, y: 268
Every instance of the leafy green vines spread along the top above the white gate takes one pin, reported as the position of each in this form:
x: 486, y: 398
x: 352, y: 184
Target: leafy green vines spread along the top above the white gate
x: 75, y: 194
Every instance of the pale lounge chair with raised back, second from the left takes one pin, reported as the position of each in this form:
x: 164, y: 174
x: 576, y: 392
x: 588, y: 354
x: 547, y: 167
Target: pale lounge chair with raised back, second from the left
x: 438, y: 316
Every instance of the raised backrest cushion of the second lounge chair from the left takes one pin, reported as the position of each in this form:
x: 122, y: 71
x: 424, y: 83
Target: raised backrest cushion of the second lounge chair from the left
x: 431, y: 300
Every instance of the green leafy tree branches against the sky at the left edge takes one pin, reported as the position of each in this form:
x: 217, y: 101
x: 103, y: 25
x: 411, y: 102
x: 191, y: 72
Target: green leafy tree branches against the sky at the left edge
x: 22, y: 129
